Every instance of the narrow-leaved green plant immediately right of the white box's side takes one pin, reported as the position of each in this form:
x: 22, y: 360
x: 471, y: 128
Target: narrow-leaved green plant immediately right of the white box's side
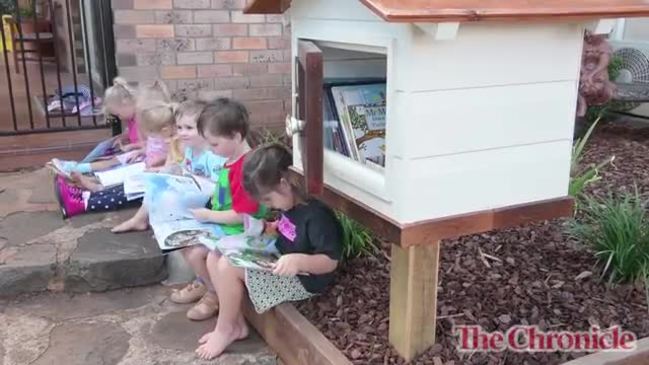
x: 582, y: 176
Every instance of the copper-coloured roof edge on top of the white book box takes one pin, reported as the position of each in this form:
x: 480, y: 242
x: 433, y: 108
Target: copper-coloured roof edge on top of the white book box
x: 475, y: 10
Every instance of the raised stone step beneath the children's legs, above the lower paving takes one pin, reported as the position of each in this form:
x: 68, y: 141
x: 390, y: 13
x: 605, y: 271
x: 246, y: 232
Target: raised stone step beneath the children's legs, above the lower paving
x: 39, y: 251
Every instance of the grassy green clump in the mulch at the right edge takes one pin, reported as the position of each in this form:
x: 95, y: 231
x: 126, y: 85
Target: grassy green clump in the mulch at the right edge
x: 617, y: 229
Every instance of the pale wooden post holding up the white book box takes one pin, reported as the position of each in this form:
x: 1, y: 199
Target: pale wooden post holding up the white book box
x: 413, y: 298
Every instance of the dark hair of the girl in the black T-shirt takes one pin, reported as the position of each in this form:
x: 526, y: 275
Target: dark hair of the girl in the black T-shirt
x: 265, y: 167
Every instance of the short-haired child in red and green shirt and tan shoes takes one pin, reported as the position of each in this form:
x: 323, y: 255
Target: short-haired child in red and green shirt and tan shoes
x: 224, y: 125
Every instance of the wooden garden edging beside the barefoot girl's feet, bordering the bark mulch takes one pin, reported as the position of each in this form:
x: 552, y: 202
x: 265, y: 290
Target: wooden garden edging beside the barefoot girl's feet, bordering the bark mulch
x: 295, y: 340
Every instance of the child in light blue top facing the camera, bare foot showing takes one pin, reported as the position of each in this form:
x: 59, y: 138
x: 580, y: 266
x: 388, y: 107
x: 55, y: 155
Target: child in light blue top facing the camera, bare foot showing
x: 197, y: 159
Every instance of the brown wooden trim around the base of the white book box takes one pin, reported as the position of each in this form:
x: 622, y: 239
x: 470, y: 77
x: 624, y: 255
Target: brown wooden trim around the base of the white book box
x: 431, y: 231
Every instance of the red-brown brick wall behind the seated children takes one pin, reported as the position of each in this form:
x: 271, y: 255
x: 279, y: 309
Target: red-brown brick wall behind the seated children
x: 206, y: 49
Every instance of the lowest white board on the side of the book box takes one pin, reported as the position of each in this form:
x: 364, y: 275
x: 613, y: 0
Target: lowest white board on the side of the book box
x: 464, y: 183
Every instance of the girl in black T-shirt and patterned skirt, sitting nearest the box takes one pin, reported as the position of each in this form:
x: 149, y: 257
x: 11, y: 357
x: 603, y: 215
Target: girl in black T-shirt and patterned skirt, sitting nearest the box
x: 309, y: 242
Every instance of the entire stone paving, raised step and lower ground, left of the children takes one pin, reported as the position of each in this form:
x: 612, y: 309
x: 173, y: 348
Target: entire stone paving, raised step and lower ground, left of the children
x: 47, y: 266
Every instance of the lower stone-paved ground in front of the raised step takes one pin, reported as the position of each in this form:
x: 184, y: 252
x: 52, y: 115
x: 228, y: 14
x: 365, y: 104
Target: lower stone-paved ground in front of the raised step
x: 126, y: 327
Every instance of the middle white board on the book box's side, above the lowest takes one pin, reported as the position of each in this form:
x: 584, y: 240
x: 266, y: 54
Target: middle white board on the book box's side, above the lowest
x: 454, y: 121
